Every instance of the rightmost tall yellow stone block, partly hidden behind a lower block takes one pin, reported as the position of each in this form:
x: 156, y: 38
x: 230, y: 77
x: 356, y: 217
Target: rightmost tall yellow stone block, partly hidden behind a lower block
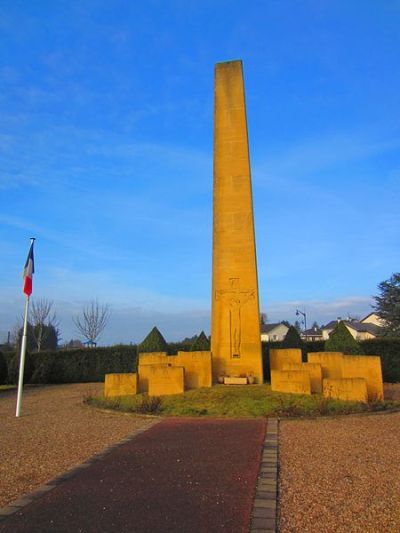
x: 367, y: 367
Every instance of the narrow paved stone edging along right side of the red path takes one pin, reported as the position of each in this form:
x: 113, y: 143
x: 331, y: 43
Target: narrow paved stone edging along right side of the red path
x: 264, y: 513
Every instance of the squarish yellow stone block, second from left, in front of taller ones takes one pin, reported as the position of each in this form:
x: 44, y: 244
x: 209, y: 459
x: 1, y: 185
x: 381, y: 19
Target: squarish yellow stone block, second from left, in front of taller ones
x: 165, y: 379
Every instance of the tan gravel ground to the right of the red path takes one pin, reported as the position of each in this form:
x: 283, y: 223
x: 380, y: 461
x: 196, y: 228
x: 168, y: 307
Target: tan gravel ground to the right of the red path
x: 340, y: 475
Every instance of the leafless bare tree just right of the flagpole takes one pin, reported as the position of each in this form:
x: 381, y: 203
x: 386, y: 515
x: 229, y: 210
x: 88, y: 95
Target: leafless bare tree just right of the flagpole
x: 44, y: 322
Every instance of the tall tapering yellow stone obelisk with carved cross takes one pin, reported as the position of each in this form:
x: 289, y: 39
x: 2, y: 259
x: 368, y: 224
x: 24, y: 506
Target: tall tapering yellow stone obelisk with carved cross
x: 235, y: 327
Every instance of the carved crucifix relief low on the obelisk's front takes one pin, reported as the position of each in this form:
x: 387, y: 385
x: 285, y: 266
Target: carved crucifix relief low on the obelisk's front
x: 236, y: 299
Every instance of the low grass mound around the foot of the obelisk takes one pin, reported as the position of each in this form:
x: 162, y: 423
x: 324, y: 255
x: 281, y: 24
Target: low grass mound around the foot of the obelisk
x: 237, y: 401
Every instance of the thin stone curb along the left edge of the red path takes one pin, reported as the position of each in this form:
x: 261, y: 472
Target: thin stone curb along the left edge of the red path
x: 26, y: 499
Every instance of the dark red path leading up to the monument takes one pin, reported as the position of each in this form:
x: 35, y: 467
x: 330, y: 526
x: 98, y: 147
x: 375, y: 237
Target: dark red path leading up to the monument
x: 182, y: 475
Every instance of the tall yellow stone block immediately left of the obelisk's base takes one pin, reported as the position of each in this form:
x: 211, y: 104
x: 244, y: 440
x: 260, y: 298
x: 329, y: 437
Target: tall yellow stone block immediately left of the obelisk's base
x: 198, y: 369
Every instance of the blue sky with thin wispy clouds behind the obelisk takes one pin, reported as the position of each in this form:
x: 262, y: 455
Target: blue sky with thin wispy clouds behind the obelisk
x: 106, y: 155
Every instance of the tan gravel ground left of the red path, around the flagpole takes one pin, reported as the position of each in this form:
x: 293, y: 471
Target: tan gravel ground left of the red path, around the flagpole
x: 56, y: 431
